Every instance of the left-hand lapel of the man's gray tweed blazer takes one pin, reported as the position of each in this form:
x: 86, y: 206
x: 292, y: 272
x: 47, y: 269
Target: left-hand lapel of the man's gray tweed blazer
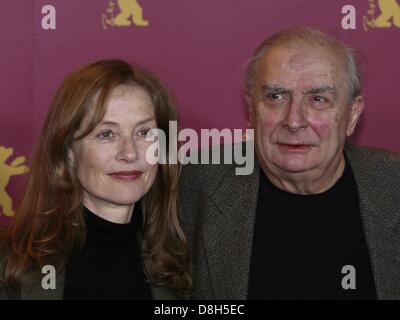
x: 228, y: 234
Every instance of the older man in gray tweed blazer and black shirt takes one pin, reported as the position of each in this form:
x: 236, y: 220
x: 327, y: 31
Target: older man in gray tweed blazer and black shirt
x: 319, y: 217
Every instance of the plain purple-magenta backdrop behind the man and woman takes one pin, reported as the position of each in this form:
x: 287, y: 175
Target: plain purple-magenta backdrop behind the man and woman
x: 198, y: 47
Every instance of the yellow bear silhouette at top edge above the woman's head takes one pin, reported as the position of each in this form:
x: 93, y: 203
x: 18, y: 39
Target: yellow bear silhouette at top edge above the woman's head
x: 130, y: 12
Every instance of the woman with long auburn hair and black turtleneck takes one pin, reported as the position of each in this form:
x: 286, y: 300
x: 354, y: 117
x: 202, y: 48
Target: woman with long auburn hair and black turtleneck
x: 94, y: 212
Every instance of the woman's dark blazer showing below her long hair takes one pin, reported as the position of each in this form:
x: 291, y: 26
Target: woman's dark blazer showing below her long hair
x: 31, y: 288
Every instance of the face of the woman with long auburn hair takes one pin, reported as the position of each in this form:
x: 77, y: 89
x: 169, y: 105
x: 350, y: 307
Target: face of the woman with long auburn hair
x: 111, y: 160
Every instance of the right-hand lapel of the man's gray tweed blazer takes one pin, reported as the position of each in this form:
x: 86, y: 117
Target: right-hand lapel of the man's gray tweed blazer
x: 380, y: 224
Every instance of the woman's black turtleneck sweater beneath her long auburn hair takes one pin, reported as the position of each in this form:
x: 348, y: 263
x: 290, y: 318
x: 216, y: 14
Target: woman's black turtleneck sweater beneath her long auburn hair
x: 110, y: 265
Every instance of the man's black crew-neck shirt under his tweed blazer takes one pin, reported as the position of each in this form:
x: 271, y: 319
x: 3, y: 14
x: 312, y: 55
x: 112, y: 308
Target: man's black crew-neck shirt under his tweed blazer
x: 302, y: 242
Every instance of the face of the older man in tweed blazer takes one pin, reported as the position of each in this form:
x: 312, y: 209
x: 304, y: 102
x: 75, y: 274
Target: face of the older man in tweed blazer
x: 299, y: 109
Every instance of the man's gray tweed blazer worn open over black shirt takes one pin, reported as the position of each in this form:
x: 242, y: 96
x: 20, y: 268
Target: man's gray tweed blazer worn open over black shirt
x: 219, y: 211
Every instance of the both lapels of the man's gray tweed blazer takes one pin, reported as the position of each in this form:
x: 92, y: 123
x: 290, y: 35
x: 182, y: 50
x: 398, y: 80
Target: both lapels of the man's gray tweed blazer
x: 228, y: 235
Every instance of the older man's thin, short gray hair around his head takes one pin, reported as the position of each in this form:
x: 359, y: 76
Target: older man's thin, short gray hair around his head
x: 312, y: 37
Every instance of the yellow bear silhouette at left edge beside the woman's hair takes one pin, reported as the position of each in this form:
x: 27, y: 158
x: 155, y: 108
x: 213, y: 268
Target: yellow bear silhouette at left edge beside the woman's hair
x: 16, y: 167
